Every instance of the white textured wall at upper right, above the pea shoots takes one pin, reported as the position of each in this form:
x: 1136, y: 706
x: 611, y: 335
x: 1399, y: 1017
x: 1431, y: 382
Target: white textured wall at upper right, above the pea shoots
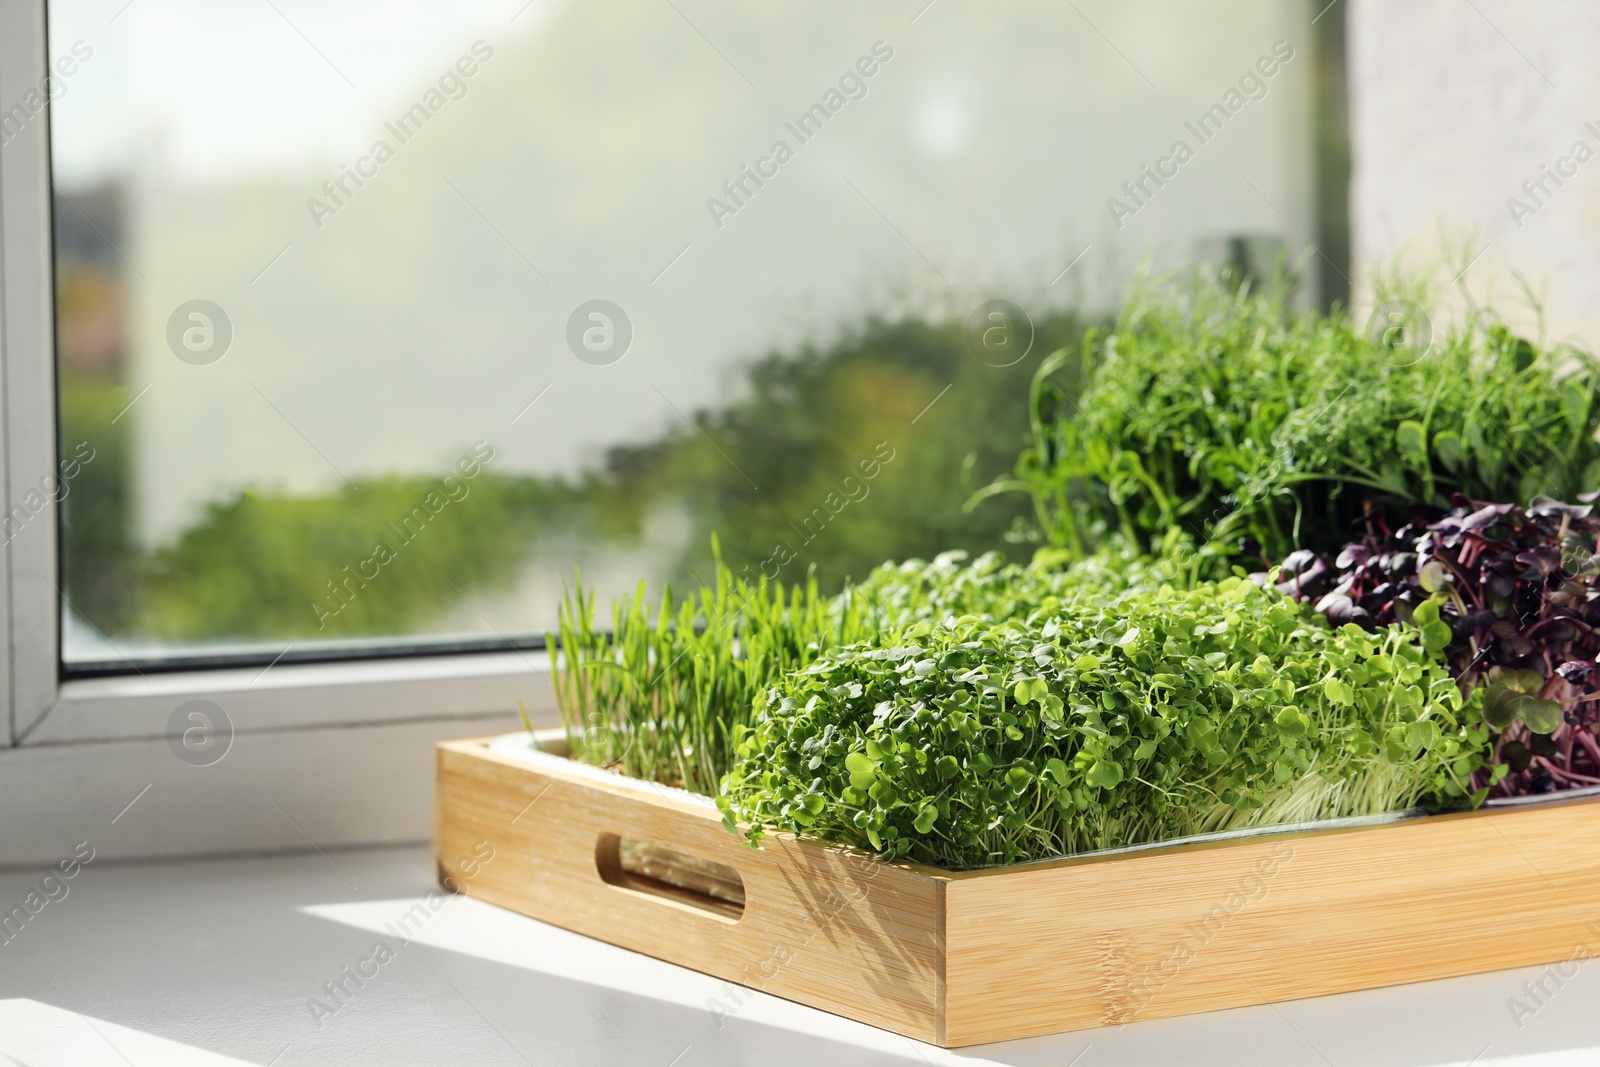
x: 1452, y: 108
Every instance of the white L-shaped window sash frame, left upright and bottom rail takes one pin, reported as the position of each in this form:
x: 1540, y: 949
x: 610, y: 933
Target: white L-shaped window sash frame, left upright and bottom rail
x: 42, y: 711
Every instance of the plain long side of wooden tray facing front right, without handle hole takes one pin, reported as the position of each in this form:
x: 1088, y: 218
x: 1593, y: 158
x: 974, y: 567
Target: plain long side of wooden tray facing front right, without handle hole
x: 1146, y: 937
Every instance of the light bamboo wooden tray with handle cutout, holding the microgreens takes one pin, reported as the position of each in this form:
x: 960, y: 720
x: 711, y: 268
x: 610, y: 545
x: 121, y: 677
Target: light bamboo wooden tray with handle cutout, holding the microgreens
x: 959, y: 959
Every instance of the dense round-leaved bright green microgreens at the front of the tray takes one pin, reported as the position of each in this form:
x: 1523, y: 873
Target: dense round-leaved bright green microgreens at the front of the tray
x: 1102, y: 722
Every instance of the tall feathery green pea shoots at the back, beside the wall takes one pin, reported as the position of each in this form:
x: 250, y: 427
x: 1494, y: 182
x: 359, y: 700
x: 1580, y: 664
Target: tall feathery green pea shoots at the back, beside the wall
x: 1255, y: 430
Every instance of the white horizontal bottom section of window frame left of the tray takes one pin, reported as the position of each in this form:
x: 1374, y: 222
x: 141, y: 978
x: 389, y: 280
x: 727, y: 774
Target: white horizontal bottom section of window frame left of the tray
x: 337, y: 754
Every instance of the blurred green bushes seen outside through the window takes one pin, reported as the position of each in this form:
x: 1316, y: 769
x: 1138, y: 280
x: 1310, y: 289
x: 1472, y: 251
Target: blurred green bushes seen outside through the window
x: 271, y: 565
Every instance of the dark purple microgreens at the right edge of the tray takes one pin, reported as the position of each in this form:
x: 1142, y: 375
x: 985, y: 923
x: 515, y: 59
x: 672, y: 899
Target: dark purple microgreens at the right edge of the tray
x: 1513, y: 597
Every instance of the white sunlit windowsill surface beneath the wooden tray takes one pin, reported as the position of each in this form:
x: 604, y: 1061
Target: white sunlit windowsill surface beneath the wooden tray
x: 210, y: 964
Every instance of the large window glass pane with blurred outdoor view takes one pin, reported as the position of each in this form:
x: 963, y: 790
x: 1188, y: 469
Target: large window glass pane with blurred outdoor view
x: 378, y: 321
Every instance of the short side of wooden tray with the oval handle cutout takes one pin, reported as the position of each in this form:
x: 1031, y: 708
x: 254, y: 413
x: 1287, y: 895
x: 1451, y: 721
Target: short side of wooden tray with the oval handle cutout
x: 820, y: 927
